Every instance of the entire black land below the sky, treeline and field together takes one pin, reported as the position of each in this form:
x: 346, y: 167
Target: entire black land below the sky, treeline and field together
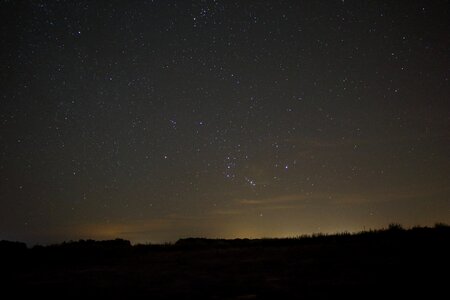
x: 379, y: 264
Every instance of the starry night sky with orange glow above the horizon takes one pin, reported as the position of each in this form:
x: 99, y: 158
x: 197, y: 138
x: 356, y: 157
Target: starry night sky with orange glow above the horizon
x: 157, y: 120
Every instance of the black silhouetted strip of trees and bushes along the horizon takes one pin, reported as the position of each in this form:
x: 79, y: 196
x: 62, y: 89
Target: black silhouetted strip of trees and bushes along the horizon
x: 394, y: 231
